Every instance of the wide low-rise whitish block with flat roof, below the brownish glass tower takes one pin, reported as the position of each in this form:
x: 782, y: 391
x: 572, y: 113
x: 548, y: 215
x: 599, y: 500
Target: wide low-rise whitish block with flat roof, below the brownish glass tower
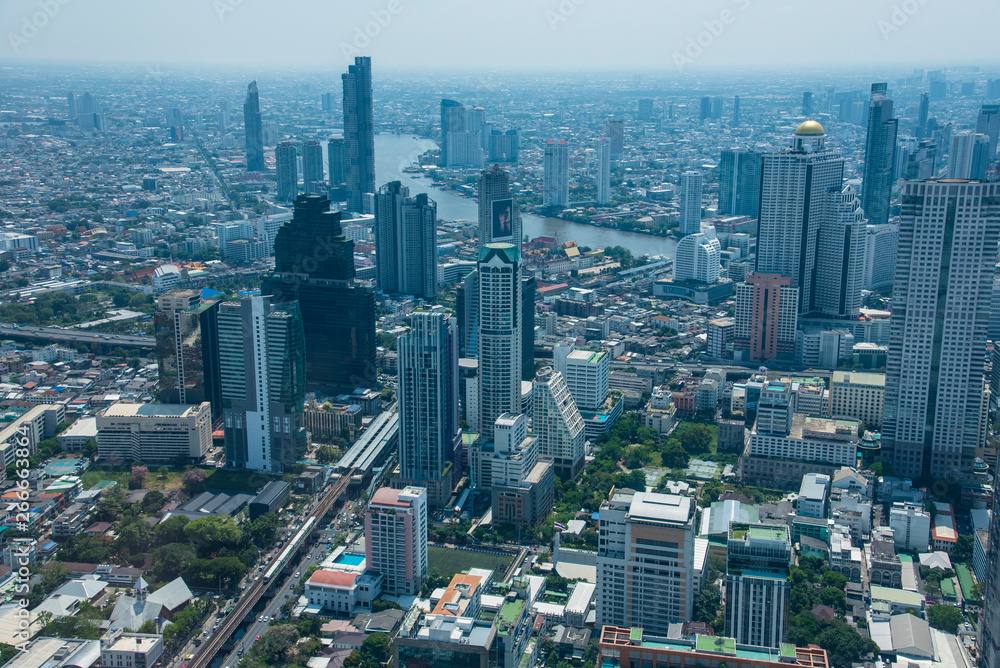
x: 154, y: 433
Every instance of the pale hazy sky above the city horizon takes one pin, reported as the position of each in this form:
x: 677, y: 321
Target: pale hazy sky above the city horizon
x: 507, y: 34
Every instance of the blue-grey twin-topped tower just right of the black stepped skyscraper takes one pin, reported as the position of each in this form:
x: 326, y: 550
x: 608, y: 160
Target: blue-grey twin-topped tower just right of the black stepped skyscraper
x: 405, y: 242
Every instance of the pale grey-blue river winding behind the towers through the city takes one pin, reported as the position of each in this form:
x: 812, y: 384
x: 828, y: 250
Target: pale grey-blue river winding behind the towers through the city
x: 394, y: 152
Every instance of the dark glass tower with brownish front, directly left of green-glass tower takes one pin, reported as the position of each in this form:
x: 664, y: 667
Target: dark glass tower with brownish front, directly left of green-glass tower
x: 187, y: 349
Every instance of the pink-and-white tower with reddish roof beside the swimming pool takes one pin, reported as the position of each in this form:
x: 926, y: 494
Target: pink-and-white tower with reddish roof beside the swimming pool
x: 396, y: 538
